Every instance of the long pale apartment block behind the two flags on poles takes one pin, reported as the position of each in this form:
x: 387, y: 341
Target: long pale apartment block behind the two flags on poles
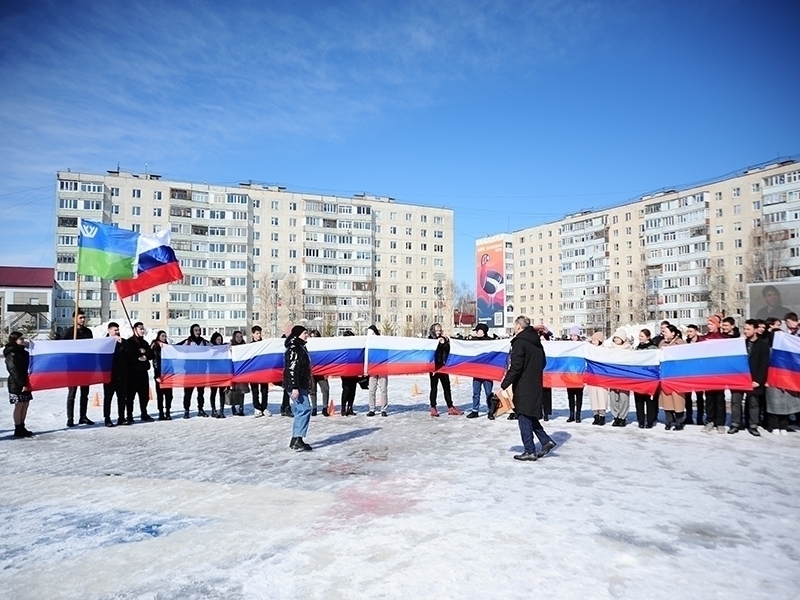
x: 259, y: 254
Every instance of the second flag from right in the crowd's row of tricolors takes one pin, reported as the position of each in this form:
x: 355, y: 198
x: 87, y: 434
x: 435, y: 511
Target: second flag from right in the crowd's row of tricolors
x: 709, y: 365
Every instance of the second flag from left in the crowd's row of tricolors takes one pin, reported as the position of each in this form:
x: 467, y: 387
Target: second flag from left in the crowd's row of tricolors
x: 196, y: 366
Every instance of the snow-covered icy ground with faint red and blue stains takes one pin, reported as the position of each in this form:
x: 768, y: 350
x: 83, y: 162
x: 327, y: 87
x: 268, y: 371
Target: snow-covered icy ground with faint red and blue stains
x: 405, y: 506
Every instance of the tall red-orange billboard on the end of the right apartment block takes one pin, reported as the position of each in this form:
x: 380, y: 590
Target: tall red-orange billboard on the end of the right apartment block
x: 491, y: 283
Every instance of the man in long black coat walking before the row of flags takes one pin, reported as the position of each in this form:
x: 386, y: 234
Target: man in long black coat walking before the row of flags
x: 527, y: 362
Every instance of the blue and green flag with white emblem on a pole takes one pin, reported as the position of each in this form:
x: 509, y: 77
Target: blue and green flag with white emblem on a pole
x: 105, y: 251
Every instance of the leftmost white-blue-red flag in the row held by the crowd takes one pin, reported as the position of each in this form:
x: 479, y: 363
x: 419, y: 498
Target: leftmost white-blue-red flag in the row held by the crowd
x: 70, y: 363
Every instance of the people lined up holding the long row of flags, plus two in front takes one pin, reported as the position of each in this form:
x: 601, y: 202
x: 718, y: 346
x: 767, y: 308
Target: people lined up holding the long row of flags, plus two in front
x: 762, y: 405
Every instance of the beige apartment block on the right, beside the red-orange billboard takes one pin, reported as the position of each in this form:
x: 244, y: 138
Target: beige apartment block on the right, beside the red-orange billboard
x: 676, y: 254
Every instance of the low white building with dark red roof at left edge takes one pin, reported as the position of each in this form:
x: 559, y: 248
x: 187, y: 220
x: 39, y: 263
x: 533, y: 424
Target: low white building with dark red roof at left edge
x: 26, y: 300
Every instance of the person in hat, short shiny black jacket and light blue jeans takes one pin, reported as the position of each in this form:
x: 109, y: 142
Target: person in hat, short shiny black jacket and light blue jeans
x: 297, y: 382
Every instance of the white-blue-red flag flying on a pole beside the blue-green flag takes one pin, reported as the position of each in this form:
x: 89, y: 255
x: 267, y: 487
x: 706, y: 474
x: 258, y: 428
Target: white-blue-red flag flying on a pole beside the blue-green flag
x: 156, y: 264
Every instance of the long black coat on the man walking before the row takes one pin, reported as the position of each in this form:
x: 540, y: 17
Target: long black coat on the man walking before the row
x: 526, y: 366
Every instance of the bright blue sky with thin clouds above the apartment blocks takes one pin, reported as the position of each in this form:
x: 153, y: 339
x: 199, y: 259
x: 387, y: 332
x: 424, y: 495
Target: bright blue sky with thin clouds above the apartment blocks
x: 511, y: 113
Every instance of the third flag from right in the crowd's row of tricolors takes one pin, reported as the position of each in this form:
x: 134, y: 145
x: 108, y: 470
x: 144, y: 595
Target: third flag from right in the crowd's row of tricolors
x: 616, y: 369
